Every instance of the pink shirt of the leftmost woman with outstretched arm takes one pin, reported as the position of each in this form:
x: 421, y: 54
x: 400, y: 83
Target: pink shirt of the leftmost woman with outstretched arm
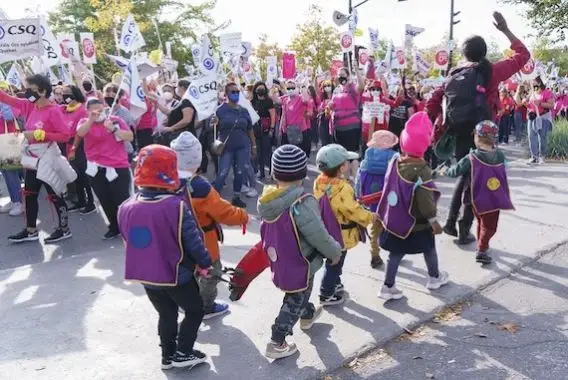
x: 48, y: 118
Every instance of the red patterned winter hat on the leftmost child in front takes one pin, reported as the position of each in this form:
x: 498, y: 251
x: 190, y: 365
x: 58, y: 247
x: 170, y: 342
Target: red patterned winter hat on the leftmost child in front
x: 157, y: 168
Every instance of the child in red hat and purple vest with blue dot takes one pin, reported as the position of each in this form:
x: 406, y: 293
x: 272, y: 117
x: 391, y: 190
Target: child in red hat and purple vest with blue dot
x: 163, y: 246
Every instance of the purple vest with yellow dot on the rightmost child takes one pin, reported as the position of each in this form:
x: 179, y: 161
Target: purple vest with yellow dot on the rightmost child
x: 489, y: 187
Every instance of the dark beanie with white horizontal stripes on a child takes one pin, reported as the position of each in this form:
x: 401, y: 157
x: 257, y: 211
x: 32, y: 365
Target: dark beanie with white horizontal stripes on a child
x: 289, y: 164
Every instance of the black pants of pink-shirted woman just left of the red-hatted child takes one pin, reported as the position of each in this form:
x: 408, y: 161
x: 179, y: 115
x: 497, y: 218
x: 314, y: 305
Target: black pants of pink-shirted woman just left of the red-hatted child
x: 112, y: 194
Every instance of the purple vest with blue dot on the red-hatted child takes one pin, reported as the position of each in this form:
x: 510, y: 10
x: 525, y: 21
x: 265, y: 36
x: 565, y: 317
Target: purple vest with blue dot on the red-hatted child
x: 152, y: 232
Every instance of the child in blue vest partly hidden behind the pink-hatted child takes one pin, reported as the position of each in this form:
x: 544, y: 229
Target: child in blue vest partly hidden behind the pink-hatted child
x: 371, y: 178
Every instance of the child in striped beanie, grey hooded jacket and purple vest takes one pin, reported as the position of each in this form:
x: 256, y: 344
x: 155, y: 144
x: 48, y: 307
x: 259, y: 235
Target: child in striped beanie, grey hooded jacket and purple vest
x: 296, y: 241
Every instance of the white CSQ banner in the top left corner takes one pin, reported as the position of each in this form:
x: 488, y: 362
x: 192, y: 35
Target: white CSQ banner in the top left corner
x: 20, y: 39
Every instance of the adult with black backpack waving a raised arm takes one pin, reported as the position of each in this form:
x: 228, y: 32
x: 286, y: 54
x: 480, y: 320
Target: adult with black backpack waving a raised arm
x: 474, y: 50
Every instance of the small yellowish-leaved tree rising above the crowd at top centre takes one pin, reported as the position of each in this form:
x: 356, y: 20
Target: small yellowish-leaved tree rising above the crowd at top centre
x: 314, y: 43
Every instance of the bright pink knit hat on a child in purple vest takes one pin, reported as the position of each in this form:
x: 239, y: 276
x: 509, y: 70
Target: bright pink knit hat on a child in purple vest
x: 417, y: 135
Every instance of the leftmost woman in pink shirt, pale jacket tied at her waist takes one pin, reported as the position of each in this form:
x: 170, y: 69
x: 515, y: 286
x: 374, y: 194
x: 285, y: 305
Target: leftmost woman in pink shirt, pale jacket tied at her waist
x: 44, y: 126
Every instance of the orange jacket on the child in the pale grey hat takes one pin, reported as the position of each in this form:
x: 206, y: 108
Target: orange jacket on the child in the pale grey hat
x: 210, y: 210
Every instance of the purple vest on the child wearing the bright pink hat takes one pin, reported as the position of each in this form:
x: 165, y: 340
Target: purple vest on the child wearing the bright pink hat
x: 396, y: 203
